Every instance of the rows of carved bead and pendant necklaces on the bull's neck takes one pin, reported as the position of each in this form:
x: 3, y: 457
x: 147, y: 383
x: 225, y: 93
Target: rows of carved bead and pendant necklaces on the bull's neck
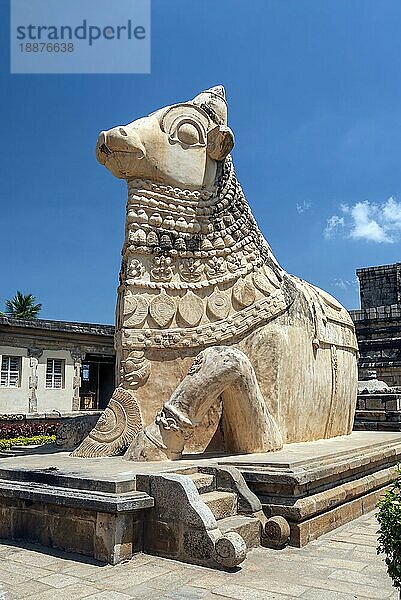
x: 196, y: 270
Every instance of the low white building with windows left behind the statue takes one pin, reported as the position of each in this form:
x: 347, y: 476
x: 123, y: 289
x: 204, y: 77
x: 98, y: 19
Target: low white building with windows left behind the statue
x: 55, y: 366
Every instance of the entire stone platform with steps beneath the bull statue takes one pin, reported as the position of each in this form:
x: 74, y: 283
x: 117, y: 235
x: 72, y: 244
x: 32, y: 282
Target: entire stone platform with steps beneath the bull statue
x: 109, y: 508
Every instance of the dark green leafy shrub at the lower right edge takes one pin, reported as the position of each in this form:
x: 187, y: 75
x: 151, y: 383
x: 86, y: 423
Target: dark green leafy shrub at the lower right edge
x: 389, y: 517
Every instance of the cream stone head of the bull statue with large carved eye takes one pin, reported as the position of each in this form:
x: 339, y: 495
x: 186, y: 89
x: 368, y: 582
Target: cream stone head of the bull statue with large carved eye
x: 178, y: 145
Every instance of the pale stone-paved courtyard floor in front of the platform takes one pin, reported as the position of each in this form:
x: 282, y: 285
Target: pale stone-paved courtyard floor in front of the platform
x: 342, y: 565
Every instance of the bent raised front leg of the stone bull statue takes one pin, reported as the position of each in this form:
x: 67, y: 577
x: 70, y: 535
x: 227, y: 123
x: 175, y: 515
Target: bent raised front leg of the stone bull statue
x: 217, y: 371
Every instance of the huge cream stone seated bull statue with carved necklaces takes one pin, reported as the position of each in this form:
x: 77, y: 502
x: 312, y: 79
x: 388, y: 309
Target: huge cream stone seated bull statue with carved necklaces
x: 213, y: 338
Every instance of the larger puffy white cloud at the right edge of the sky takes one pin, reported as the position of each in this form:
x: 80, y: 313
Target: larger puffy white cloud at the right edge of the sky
x: 380, y: 223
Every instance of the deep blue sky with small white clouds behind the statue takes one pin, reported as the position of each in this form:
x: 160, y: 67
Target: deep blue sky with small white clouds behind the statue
x: 314, y: 92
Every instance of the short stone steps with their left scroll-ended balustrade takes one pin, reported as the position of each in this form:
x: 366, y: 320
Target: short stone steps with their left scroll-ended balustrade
x: 184, y: 524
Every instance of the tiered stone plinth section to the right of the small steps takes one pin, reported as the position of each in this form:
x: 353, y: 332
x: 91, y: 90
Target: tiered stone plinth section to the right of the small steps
x: 319, y: 486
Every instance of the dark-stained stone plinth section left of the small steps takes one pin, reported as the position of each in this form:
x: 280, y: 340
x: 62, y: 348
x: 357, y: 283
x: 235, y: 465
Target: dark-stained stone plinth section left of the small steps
x: 93, y: 515
